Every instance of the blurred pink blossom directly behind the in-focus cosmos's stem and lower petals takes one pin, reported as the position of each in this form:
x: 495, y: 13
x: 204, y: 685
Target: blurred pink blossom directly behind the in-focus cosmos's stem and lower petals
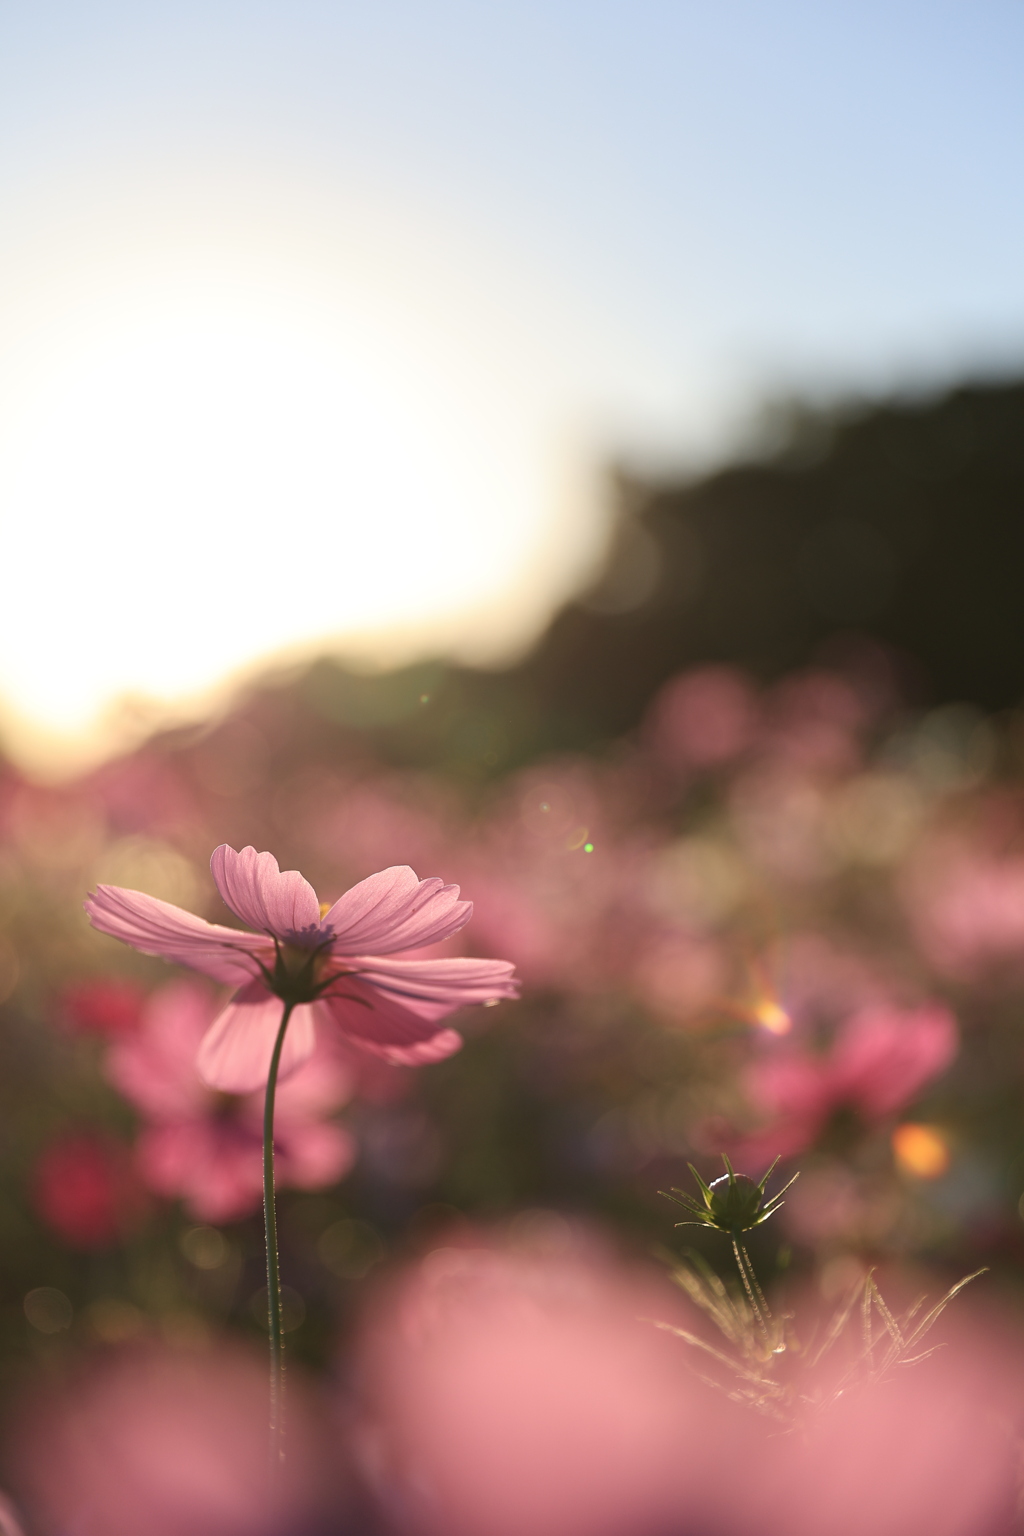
x: 206, y: 1148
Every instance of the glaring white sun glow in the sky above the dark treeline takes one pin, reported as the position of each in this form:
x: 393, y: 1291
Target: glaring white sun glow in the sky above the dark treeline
x: 200, y: 474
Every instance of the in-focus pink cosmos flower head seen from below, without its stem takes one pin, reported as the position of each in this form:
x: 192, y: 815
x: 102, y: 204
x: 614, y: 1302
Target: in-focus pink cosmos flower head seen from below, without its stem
x: 351, y: 965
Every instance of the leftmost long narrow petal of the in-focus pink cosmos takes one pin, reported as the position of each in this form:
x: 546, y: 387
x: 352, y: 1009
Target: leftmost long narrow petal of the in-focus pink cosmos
x: 157, y: 929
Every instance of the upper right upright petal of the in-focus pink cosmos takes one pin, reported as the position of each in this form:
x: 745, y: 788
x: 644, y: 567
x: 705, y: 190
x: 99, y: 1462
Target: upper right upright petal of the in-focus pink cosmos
x: 395, y: 910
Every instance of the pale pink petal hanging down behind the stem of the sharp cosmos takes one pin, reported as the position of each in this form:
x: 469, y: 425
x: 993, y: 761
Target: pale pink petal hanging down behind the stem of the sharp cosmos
x: 237, y: 1048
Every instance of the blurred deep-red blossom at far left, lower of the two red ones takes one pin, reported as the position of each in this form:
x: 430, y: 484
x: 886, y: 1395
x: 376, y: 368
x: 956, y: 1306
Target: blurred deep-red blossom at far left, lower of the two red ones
x: 85, y: 1190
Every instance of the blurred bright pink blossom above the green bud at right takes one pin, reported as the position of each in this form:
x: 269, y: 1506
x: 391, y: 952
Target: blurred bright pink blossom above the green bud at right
x: 880, y: 1059
